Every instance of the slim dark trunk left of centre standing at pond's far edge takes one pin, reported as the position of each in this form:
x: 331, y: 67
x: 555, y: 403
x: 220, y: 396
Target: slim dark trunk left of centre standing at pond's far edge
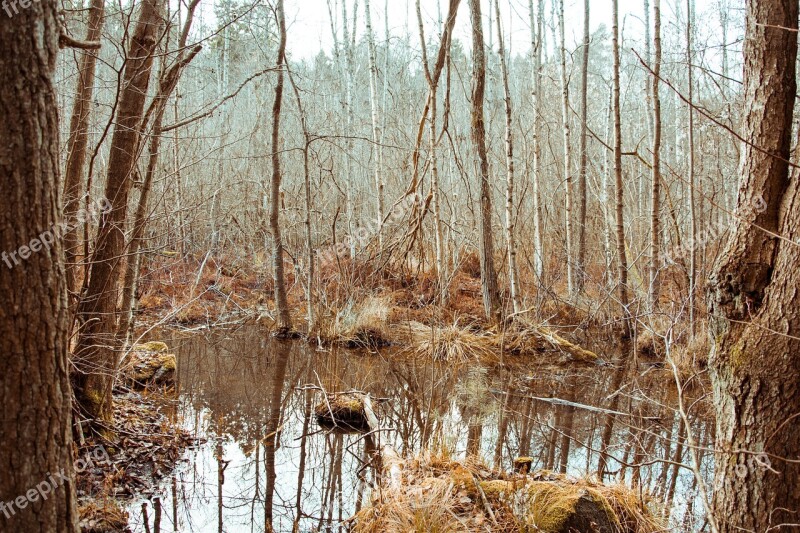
x: 281, y: 302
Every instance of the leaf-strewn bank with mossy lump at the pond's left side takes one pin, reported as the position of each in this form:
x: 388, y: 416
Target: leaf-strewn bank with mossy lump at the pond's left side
x: 139, y: 450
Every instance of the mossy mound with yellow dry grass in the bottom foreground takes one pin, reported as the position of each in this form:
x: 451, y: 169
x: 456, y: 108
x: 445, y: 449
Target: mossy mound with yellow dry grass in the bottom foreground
x: 447, y: 495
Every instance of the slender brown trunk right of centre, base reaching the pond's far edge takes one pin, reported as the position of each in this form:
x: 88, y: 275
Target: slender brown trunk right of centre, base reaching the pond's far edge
x: 622, y: 262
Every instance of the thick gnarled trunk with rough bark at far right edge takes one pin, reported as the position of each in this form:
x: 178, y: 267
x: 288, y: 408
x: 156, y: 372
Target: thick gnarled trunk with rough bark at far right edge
x: 753, y: 294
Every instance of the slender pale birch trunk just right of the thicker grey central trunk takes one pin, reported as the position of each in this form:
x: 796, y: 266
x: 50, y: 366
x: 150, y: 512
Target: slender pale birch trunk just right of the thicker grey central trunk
x: 511, y: 245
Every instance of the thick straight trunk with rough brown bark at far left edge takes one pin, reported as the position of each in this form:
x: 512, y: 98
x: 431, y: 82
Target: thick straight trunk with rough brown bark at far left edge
x: 35, y: 435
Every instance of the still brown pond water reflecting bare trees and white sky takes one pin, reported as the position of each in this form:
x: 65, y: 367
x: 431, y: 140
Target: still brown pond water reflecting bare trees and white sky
x: 267, y: 466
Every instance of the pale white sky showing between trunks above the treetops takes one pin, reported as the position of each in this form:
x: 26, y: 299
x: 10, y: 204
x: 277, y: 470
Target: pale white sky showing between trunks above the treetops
x: 310, y: 30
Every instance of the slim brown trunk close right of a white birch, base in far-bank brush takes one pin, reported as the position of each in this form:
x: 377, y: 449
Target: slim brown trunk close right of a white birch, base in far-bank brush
x: 580, y: 266
